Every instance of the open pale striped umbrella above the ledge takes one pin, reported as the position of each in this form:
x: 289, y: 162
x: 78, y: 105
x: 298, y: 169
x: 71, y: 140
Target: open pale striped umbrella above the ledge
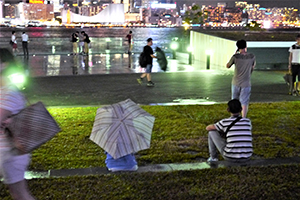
x: 122, y: 128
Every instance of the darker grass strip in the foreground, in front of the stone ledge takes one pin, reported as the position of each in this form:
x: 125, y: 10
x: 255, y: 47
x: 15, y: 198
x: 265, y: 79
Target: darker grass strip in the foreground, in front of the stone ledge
x: 274, y: 182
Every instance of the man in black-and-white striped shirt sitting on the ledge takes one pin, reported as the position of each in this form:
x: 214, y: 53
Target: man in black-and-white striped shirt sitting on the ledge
x: 236, y: 144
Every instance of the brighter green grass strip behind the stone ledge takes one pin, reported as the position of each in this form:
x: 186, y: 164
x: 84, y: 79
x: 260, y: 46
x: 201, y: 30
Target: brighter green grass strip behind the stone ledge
x: 179, y: 135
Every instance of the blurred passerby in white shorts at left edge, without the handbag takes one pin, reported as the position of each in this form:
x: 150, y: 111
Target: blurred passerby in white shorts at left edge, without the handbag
x: 12, y: 164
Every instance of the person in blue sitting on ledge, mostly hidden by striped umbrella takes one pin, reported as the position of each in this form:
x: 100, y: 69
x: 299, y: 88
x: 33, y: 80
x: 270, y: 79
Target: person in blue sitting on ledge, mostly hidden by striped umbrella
x: 125, y: 163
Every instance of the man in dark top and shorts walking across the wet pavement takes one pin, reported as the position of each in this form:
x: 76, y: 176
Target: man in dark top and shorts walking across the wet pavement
x: 148, y: 53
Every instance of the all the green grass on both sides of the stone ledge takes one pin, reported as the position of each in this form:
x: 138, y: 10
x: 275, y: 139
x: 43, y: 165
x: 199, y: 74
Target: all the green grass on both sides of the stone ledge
x: 178, y: 131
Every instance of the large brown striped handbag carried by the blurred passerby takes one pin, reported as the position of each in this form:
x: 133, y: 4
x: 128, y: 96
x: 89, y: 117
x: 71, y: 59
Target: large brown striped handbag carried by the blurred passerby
x: 32, y: 127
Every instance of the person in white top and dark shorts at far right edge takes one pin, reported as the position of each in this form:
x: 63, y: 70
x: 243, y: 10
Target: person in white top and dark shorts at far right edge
x: 294, y: 65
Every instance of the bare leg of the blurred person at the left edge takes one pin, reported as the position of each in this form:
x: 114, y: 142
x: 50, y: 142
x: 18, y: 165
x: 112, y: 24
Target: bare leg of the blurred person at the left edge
x: 20, y: 191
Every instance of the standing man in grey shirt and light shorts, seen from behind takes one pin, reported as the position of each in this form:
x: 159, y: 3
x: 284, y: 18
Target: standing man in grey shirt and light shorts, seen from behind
x: 241, y: 84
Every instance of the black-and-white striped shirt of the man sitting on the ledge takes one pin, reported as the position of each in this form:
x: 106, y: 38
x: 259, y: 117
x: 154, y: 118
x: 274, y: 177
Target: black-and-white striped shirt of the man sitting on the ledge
x: 238, y: 138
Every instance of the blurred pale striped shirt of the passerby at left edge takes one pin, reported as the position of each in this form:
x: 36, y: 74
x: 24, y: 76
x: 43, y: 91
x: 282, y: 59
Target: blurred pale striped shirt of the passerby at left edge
x: 12, y: 100
